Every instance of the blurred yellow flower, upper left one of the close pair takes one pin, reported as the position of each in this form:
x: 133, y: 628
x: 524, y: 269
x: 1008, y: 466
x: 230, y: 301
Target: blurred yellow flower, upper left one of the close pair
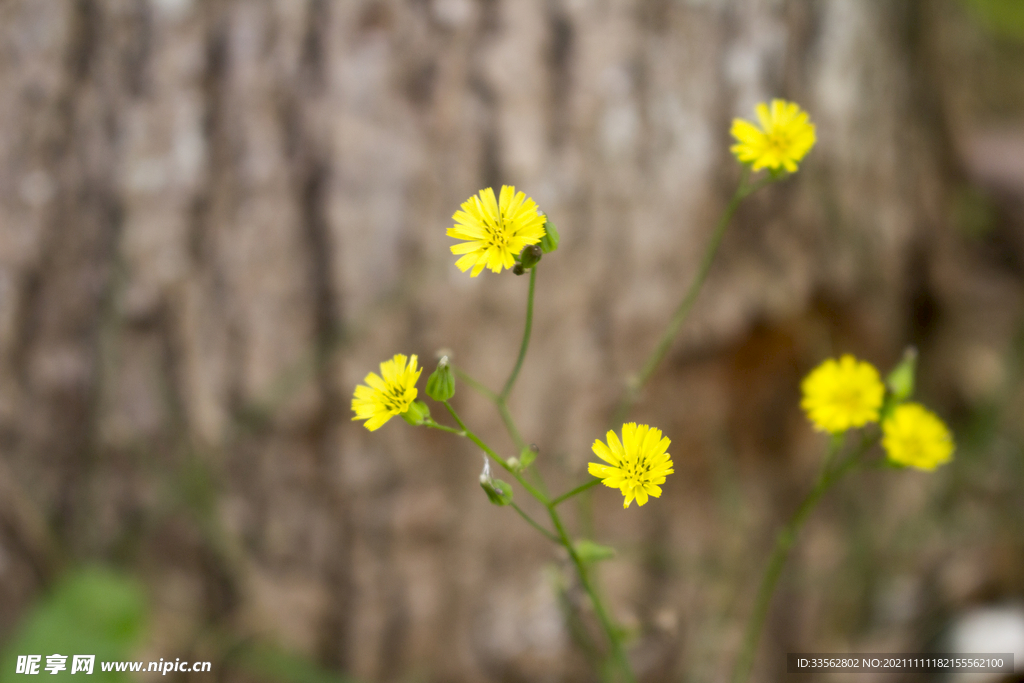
x: 844, y: 395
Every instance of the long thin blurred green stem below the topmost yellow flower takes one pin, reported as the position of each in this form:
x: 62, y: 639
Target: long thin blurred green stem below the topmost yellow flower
x: 684, y: 311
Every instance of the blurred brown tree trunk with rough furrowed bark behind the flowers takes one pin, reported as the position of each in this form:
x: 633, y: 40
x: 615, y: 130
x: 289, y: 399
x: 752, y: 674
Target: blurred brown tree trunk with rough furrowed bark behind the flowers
x: 217, y: 217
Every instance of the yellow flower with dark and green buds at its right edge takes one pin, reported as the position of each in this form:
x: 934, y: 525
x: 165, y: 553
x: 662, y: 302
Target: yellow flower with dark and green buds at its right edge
x: 496, y: 231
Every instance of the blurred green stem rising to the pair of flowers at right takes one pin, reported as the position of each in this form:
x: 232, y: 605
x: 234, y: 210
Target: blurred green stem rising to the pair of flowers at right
x: 784, y: 543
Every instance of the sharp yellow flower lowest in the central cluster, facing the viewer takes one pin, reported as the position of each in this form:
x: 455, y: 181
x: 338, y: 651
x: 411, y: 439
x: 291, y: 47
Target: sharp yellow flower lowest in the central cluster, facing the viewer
x: 637, y: 465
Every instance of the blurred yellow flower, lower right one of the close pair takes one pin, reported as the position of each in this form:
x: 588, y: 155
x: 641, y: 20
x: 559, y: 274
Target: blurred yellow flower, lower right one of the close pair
x: 915, y: 437
